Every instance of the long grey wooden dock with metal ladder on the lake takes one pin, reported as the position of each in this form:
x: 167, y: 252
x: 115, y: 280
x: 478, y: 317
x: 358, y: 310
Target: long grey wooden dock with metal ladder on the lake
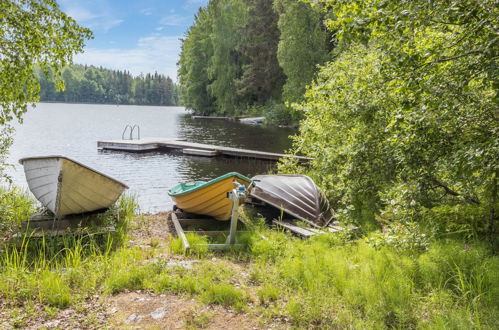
x: 155, y: 144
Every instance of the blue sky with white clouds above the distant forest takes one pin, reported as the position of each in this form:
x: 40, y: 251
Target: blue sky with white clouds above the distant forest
x: 140, y: 36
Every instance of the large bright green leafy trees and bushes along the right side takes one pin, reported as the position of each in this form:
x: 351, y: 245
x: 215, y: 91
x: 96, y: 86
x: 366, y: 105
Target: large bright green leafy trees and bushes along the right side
x: 406, y: 113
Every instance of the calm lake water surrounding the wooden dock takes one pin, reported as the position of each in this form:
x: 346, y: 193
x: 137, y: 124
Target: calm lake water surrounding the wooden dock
x: 73, y: 130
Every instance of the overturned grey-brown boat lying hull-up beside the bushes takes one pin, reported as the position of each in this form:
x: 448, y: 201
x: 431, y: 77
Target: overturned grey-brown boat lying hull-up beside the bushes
x: 296, y: 195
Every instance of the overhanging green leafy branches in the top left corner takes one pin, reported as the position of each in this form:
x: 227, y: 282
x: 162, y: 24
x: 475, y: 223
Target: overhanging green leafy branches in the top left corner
x: 33, y: 32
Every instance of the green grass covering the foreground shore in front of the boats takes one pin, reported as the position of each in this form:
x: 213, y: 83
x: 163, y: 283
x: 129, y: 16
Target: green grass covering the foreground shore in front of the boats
x: 329, y: 281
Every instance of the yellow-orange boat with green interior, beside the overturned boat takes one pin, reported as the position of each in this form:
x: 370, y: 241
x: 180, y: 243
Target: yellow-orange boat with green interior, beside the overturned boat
x: 208, y: 198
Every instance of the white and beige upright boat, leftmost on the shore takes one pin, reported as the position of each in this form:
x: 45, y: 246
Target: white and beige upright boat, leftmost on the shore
x: 65, y: 186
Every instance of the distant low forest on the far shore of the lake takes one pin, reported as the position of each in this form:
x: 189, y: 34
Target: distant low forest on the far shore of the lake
x: 90, y: 84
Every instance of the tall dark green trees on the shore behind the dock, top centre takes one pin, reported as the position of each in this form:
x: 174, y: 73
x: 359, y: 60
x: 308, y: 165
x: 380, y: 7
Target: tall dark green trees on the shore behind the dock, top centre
x: 252, y: 56
